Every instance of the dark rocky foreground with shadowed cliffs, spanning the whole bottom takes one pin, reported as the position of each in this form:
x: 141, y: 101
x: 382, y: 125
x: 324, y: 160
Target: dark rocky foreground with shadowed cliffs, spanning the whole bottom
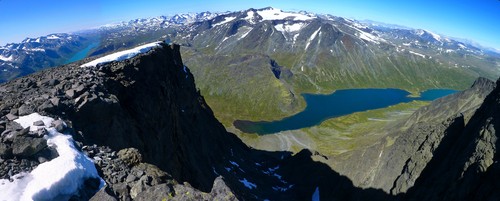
x: 152, y: 137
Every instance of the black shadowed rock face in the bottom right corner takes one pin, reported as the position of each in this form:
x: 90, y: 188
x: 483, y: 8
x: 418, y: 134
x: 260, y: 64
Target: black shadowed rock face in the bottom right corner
x: 466, y: 166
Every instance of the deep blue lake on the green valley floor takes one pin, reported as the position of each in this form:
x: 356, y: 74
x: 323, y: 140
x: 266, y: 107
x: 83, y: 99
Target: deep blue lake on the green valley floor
x: 341, y: 102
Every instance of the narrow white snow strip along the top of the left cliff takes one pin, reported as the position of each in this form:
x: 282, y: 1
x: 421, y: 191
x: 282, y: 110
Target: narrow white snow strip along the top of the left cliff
x: 122, y: 55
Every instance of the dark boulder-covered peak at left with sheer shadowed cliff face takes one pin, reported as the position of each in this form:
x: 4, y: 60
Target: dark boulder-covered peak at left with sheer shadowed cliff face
x: 145, y: 109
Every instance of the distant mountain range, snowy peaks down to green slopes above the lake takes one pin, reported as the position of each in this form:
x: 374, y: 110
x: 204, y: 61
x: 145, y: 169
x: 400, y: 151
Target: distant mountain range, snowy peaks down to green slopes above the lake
x: 283, y: 54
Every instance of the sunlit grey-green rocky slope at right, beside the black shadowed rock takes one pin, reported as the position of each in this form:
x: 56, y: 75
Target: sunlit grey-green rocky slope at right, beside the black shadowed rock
x: 395, y: 162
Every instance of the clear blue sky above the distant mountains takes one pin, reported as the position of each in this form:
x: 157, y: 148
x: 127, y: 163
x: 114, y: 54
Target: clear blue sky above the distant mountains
x: 477, y: 20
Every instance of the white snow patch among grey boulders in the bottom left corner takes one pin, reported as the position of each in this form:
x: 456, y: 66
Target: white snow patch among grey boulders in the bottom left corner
x: 57, y: 179
